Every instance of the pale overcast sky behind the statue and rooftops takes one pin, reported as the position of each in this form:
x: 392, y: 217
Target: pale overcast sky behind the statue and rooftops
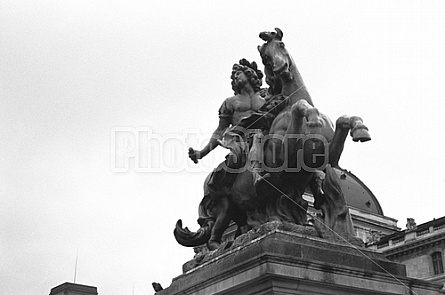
x: 71, y: 71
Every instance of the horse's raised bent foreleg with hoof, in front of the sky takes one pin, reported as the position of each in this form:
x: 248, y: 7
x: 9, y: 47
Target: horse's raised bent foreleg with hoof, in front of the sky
x: 359, y: 132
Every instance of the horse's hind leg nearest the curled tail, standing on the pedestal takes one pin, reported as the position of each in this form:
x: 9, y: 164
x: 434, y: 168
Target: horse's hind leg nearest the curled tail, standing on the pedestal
x: 221, y: 224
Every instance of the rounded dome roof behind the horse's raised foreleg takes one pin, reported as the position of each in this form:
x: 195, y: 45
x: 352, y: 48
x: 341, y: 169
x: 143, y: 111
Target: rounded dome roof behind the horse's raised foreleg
x: 357, y: 194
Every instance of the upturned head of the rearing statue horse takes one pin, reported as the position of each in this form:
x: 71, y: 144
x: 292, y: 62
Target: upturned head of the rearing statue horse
x: 275, y: 57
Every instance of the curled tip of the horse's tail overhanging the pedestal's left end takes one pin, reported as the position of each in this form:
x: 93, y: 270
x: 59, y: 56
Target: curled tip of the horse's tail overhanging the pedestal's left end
x: 187, y: 238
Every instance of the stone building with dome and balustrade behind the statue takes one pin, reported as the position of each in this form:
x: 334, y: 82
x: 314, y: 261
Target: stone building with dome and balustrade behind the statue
x: 421, y: 248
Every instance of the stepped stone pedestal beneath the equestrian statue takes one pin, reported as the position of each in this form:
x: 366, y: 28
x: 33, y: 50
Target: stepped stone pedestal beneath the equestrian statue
x: 282, y: 262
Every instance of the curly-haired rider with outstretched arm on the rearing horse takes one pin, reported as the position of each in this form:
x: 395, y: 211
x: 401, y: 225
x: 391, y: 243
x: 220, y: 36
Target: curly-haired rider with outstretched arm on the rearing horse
x: 246, y: 83
